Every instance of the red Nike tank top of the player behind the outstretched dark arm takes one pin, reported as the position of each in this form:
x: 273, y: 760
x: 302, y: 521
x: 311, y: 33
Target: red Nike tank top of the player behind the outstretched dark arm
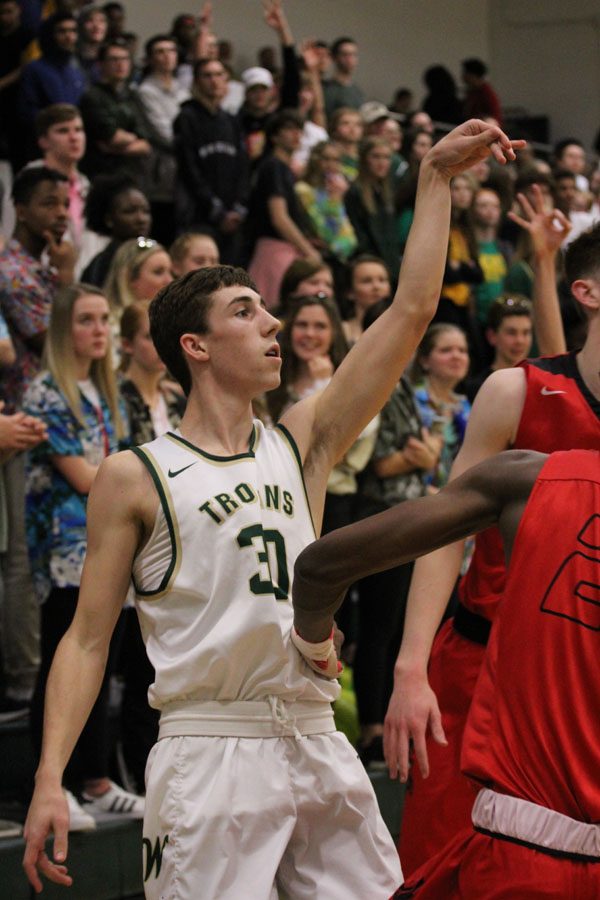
x: 559, y: 413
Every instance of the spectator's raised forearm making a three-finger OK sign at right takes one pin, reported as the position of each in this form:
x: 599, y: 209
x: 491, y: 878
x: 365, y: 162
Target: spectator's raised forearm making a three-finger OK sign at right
x: 547, y: 229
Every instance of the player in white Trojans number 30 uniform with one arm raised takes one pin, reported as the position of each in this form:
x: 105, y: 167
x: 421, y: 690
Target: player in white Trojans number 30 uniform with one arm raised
x: 250, y: 790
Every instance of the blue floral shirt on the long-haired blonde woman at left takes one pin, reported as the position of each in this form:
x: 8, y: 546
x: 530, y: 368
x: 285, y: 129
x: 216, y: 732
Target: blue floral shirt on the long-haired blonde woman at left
x: 55, y: 513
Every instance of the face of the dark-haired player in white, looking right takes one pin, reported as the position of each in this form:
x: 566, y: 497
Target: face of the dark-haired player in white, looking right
x: 241, y: 341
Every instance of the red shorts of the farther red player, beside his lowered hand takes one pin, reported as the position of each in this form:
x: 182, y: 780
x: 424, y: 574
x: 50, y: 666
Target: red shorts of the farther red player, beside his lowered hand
x: 438, y: 807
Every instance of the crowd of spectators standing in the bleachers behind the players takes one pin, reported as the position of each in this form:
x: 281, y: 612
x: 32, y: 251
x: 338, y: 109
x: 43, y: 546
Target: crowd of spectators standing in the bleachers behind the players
x: 127, y: 170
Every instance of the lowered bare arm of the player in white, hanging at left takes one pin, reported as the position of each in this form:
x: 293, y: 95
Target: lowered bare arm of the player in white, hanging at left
x: 114, y: 533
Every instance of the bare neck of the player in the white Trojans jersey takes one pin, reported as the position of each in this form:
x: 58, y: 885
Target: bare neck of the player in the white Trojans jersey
x: 221, y: 428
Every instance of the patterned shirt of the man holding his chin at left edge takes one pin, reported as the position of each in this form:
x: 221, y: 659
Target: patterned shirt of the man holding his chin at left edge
x: 27, y: 289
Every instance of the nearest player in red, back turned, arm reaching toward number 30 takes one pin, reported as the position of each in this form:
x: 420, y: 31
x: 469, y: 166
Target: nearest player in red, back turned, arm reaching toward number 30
x: 534, y: 832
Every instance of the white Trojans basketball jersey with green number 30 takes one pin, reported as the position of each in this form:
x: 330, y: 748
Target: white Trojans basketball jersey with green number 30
x: 213, y: 583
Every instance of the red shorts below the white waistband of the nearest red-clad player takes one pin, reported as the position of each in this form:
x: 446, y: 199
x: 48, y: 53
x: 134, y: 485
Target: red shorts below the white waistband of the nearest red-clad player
x: 477, y: 867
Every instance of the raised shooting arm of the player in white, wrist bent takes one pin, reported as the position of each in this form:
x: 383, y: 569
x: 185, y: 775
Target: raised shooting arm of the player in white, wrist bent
x: 325, y: 428
